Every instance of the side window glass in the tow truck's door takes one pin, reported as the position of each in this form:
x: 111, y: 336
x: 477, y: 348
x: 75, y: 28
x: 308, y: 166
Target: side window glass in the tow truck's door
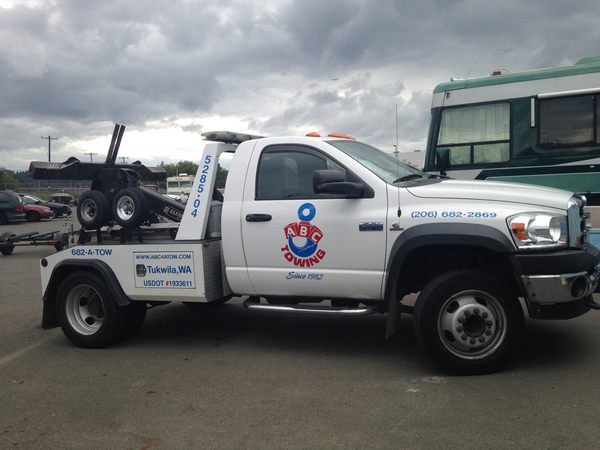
x: 288, y: 174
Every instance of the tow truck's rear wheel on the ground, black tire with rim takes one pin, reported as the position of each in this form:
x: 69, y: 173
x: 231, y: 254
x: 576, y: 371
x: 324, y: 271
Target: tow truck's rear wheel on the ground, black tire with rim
x: 87, y: 312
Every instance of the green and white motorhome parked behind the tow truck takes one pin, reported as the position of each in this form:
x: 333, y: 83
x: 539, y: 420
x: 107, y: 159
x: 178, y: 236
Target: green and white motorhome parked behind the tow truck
x: 538, y: 127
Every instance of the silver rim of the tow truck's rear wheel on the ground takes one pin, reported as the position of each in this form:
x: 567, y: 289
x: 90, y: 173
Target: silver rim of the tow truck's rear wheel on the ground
x: 85, y: 310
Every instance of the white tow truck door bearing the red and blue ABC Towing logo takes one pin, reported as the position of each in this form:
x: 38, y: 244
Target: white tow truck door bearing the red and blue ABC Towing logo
x: 298, y: 243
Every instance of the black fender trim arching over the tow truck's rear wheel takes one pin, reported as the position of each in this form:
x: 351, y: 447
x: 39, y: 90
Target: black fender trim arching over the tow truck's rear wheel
x: 68, y: 266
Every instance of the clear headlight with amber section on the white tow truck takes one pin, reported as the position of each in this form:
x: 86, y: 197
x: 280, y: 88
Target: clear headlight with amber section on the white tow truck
x: 538, y: 230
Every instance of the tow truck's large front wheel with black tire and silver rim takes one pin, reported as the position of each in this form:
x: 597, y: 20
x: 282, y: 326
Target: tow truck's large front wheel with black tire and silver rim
x: 468, y: 321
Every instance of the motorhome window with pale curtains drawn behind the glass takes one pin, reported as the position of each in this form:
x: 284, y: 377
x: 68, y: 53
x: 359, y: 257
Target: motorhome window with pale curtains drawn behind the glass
x: 476, y: 134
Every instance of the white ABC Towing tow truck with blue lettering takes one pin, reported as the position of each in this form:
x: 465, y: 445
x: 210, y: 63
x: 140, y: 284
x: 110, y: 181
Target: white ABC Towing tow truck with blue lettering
x: 331, y: 225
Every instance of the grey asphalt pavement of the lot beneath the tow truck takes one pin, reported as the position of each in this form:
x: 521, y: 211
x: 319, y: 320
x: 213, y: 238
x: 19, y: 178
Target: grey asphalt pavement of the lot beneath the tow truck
x: 231, y: 378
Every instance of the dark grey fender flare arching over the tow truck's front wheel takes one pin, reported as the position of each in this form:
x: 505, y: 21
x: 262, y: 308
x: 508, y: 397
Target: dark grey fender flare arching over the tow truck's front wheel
x: 436, y: 234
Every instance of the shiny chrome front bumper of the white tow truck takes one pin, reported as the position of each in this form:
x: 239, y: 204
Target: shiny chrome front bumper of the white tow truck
x: 542, y: 289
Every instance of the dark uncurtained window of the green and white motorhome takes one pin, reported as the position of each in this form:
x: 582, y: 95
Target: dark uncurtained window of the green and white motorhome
x: 567, y: 121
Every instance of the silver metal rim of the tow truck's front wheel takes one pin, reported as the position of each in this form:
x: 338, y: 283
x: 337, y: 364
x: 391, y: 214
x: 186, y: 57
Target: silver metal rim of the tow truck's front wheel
x: 472, y: 324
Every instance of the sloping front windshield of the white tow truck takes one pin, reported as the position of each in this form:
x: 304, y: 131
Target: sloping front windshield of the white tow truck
x: 382, y: 164
